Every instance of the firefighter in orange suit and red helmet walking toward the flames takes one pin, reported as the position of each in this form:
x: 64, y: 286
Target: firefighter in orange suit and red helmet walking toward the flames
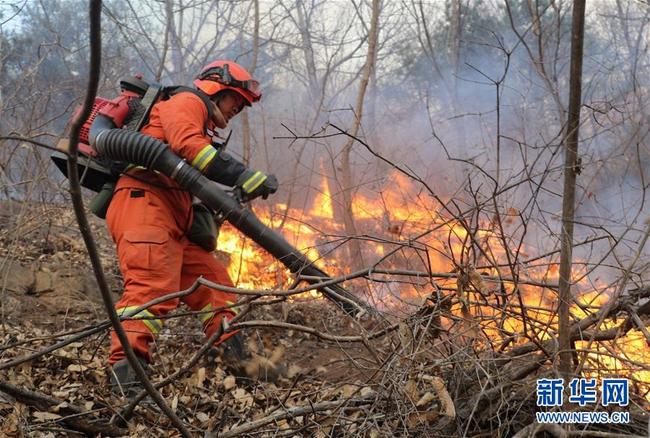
x: 150, y: 217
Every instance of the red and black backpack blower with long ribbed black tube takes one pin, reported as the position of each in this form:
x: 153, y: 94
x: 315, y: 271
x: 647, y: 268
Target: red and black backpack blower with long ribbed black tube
x: 110, y: 141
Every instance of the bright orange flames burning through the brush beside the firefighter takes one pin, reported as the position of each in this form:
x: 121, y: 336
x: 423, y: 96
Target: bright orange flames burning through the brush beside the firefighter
x: 413, y: 236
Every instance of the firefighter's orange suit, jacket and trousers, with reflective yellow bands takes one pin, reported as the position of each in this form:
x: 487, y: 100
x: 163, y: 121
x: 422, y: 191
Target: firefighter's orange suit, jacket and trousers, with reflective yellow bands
x: 148, y: 219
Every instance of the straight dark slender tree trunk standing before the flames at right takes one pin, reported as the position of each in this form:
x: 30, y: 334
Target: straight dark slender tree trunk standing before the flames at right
x: 571, y: 170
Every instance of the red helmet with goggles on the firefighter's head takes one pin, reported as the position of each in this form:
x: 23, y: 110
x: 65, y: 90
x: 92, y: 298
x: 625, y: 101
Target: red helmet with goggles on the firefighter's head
x: 228, y: 75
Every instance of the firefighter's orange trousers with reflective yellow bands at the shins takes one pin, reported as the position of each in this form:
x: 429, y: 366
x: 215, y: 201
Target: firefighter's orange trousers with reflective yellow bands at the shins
x: 148, y: 224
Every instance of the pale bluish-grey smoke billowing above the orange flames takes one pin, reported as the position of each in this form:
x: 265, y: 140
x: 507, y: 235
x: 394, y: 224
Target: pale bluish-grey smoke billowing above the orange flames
x: 496, y: 133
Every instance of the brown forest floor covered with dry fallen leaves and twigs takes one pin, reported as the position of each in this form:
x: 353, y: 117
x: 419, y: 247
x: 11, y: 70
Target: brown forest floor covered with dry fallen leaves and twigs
x: 393, y: 385
